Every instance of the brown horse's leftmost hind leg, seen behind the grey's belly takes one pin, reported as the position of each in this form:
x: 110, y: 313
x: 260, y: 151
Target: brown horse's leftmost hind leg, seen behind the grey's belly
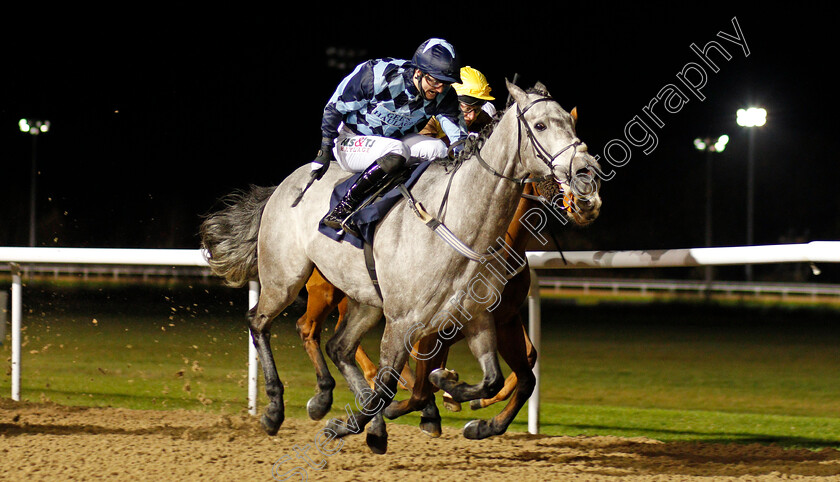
x: 322, y: 300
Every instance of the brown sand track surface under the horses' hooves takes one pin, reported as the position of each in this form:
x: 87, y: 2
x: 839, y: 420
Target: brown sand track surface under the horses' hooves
x: 45, y: 441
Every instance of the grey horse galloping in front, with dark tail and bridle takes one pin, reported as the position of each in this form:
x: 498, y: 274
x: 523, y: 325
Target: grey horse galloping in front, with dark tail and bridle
x: 426, y: 286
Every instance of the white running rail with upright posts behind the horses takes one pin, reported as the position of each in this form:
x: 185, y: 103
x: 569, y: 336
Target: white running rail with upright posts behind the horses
x: 813, y: 252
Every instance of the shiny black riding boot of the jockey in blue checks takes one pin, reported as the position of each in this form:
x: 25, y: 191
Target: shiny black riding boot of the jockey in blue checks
x: 372, y: 179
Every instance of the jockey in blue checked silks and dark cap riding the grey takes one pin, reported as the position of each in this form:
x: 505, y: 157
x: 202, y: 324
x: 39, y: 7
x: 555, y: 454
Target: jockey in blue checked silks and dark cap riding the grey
x: 370, y: 123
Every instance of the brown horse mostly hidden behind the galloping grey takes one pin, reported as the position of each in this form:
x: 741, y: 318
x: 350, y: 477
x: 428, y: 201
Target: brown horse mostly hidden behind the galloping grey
x: 514, y: 345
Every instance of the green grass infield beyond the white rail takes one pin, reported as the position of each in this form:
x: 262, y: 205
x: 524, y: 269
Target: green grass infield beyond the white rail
x: 665, y: 370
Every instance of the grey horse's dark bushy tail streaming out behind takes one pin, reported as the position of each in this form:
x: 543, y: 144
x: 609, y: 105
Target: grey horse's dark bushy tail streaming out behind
x: 229, y: 235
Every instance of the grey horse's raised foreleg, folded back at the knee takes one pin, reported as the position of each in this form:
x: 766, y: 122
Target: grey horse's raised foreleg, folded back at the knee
x: 481, y: 338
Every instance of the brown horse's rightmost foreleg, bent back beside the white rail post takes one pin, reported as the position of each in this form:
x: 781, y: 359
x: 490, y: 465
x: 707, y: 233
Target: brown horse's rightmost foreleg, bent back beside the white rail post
x: 516, y: 354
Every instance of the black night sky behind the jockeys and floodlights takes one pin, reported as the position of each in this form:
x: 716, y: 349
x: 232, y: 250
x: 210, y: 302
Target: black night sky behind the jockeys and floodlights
x: 157, y: 114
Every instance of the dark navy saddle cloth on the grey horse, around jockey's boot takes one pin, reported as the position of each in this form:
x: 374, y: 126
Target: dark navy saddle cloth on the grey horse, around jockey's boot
x: 365, y: 219
